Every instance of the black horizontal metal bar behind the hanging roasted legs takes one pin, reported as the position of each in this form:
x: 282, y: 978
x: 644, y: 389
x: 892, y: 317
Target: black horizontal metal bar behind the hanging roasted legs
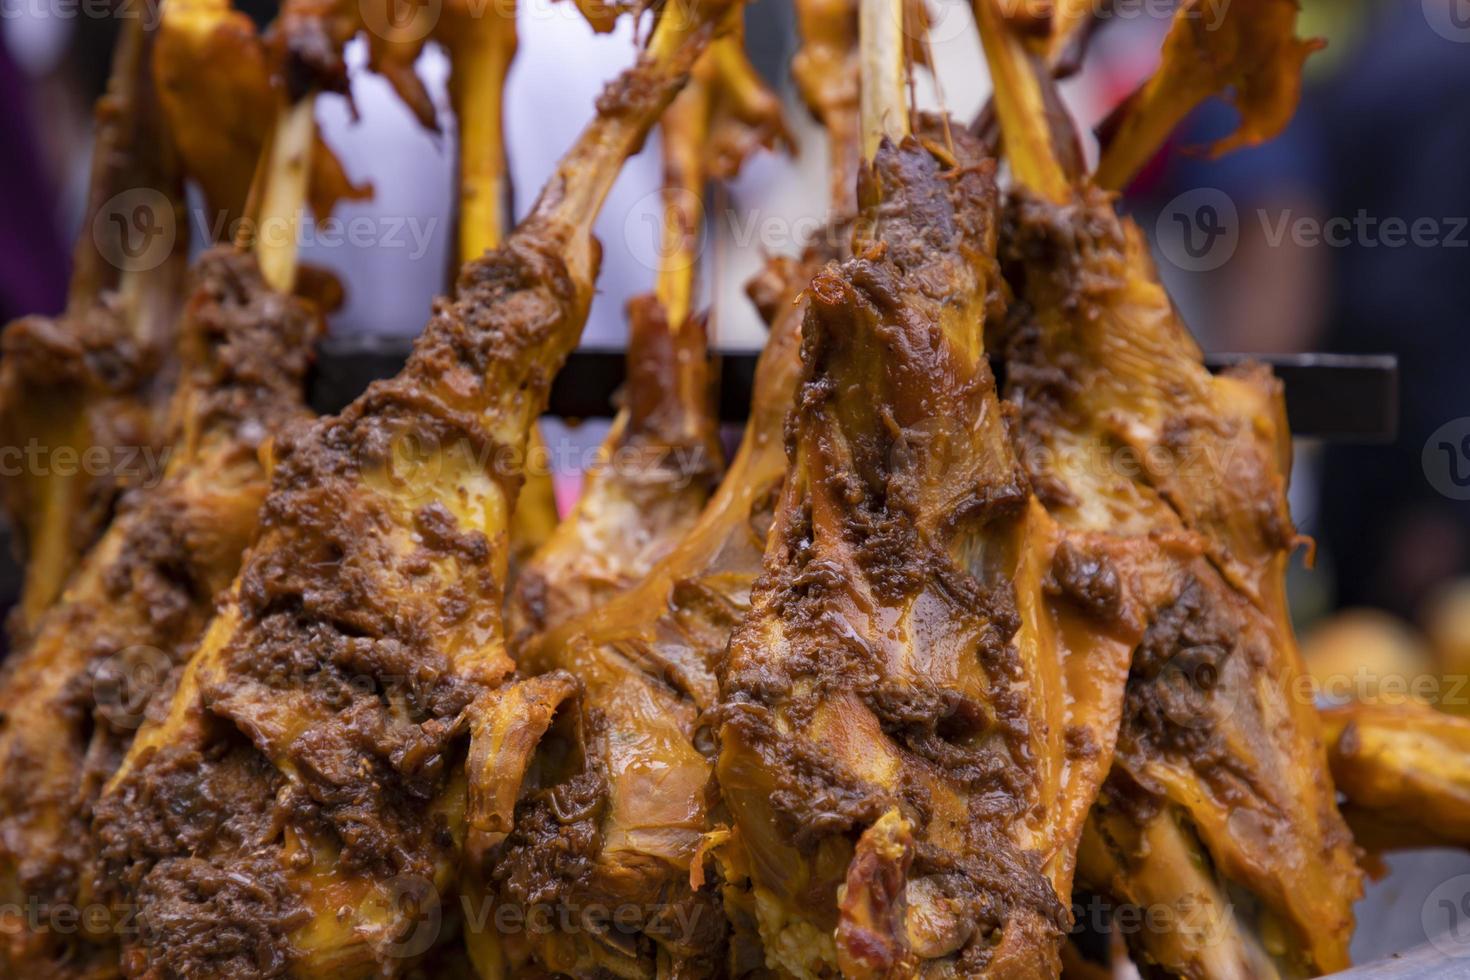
x: 1334, y: 397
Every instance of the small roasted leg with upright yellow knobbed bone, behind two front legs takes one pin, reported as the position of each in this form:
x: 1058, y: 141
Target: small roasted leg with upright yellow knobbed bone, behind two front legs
x: 662, y: 458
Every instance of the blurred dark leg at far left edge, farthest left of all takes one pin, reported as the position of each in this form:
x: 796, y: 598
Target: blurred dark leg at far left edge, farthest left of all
x: 82, y: 396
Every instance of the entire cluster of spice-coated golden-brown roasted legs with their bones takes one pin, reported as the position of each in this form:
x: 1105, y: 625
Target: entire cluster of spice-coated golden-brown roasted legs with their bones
x: 934, y: 653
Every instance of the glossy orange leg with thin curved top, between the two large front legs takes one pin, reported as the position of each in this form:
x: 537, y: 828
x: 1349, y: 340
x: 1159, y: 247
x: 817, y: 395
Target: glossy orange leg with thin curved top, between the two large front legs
x: 640, y: 766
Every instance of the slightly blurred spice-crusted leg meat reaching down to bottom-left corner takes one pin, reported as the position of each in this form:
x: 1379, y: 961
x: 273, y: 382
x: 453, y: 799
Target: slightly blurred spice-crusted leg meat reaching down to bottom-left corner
x: 73, y: 700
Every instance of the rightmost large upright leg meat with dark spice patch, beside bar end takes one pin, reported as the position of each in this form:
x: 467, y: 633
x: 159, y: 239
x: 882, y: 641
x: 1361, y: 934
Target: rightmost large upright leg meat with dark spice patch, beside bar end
x: 1221, y: 757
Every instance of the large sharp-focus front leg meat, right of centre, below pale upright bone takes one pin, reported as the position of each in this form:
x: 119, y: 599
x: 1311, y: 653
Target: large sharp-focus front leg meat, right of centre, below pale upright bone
x: 900, y: 722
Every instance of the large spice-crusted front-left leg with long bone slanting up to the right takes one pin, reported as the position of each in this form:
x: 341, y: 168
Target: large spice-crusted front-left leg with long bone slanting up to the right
x: 311, y: 772
